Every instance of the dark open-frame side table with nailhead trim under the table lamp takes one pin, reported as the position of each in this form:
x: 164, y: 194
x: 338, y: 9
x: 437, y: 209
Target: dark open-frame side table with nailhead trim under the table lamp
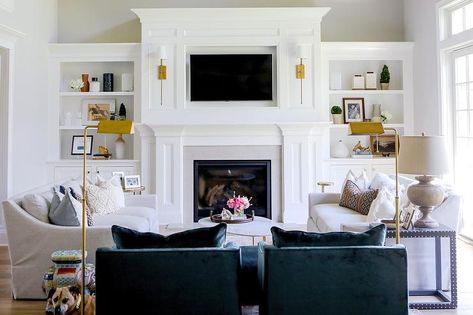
x: 446, y: 301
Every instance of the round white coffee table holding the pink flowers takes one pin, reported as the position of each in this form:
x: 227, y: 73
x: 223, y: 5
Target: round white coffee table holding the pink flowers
x: 259, y: 227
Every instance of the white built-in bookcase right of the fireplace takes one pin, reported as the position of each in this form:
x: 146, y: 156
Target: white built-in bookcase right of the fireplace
x: 349, y: 58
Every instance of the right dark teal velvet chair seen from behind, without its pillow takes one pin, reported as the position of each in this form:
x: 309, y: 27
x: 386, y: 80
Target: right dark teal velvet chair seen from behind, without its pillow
x: 366, y: 280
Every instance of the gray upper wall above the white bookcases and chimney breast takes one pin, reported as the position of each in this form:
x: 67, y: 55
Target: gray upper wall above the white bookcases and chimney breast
x: 112, y: 20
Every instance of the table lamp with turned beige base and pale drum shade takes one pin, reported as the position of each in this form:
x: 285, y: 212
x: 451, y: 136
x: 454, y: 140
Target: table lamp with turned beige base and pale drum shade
x: 425, y: 156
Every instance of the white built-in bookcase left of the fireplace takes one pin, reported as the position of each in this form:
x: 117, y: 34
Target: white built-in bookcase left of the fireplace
x: 68, y: 62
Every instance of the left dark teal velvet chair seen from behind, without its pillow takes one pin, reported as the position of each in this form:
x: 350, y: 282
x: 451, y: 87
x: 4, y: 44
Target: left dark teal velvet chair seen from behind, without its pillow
x: 168, y: 281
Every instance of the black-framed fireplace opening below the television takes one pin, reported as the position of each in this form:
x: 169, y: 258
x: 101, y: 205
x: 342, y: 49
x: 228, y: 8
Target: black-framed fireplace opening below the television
x: 217, y: 180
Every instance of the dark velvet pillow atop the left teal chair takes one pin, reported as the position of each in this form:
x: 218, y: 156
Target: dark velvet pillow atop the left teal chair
x: 203, y: 237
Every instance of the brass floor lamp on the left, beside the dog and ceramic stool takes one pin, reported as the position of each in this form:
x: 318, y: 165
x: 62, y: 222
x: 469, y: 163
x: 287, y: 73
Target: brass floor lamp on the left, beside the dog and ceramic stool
x: 104, y: 127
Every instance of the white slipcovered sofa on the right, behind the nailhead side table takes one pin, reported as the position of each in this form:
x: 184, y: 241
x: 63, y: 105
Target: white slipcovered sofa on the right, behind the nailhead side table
x: 325, y: 215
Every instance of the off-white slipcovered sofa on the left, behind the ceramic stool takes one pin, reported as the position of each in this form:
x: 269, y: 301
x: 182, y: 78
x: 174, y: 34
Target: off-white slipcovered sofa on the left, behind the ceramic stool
x: 31, y: 241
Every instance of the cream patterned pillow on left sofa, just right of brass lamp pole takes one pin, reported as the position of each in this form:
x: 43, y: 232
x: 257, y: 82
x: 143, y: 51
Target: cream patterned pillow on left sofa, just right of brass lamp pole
x: 101, y: 199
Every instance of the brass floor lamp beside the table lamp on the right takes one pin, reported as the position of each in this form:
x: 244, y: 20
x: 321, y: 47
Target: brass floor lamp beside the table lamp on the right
x: 374, y: 128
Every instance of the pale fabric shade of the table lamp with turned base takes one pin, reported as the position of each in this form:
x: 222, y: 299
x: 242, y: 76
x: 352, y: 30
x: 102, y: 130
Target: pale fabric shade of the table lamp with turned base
x: 423, y: 155
